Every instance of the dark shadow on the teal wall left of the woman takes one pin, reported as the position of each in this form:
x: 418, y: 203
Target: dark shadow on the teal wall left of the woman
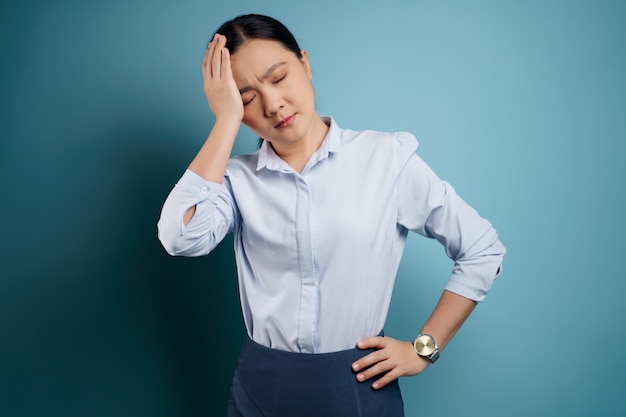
x: 104, y: 322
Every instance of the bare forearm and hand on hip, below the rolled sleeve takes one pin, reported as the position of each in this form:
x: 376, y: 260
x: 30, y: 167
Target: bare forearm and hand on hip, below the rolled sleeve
x: 398, y: 358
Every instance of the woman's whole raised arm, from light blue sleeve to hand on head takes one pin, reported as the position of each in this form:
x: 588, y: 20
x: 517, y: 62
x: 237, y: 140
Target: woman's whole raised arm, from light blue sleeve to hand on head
x: 201, y: 192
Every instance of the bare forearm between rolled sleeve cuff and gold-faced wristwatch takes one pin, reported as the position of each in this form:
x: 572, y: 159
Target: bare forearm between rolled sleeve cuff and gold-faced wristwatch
x: 448, y: 316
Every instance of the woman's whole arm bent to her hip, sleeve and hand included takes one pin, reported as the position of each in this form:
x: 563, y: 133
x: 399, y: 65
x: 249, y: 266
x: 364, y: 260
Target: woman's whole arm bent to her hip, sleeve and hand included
x: 431, y: 207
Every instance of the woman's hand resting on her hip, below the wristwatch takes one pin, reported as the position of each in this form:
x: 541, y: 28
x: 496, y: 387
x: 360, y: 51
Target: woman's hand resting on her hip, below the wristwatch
x: 393, y: 358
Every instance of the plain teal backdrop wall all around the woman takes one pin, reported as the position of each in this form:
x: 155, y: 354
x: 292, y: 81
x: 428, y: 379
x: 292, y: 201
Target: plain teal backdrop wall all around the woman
x: 519, y: 104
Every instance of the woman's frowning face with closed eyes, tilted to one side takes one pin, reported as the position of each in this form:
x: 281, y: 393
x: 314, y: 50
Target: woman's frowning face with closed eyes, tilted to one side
x: 275, y: 87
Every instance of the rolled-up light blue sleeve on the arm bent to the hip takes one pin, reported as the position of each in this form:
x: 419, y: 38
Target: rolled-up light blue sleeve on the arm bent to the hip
x: 431, y: 207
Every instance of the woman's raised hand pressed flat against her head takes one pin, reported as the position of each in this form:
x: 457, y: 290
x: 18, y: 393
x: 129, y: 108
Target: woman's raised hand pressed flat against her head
x: 219, y: 85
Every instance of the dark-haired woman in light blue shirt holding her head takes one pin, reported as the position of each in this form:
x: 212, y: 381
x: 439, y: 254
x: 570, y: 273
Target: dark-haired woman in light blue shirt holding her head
x: 320, y: 216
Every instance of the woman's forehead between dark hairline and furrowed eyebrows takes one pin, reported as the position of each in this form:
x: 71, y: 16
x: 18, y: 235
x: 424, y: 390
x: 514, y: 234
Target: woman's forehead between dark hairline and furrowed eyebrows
x: 256, y: 56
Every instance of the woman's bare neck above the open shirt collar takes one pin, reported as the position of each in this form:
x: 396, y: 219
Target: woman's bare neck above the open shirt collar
x: 297, y: 154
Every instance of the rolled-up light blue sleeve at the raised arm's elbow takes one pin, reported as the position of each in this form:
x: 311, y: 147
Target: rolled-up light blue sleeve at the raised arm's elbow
x: 214, y: 218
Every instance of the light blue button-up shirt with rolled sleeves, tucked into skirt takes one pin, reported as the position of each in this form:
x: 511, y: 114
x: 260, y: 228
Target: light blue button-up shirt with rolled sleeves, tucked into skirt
x: 317, y: 252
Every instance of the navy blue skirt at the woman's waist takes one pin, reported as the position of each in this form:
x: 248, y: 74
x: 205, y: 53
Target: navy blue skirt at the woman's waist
x: 273, y: 383
